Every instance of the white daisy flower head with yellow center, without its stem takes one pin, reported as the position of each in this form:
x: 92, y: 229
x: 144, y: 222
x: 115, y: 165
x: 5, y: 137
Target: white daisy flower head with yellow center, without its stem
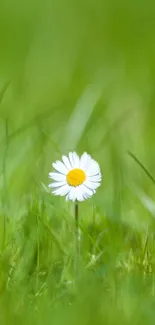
x: 77, y: 178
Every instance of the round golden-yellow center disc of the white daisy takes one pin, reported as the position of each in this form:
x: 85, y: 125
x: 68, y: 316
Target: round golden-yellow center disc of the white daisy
x: 76, y: 177
